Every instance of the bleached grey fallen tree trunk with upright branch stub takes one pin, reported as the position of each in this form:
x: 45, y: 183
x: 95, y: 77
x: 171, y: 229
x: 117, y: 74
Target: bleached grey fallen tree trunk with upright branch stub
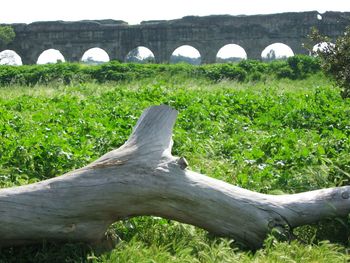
x: 143, y: 178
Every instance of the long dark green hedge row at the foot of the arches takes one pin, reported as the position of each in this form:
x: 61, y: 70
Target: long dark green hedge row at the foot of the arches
x: 297, y: 67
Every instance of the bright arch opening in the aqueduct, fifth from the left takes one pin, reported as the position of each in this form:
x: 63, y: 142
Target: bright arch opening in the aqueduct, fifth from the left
x: 186, y: 54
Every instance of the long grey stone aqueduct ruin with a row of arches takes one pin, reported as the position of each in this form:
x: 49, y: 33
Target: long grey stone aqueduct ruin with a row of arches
x: 206, y: 34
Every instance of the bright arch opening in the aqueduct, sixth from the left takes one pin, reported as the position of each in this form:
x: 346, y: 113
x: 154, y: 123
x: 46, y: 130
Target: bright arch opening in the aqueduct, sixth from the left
x: 231, y: 53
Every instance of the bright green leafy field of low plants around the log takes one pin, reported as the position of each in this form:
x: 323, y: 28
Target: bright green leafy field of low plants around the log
x: 270, y: 135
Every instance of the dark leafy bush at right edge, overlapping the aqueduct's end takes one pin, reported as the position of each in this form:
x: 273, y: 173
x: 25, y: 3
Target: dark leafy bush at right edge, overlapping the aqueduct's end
x: 335, y: 59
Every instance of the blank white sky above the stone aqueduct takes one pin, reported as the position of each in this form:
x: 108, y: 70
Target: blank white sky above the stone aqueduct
x: 135, y: 11
